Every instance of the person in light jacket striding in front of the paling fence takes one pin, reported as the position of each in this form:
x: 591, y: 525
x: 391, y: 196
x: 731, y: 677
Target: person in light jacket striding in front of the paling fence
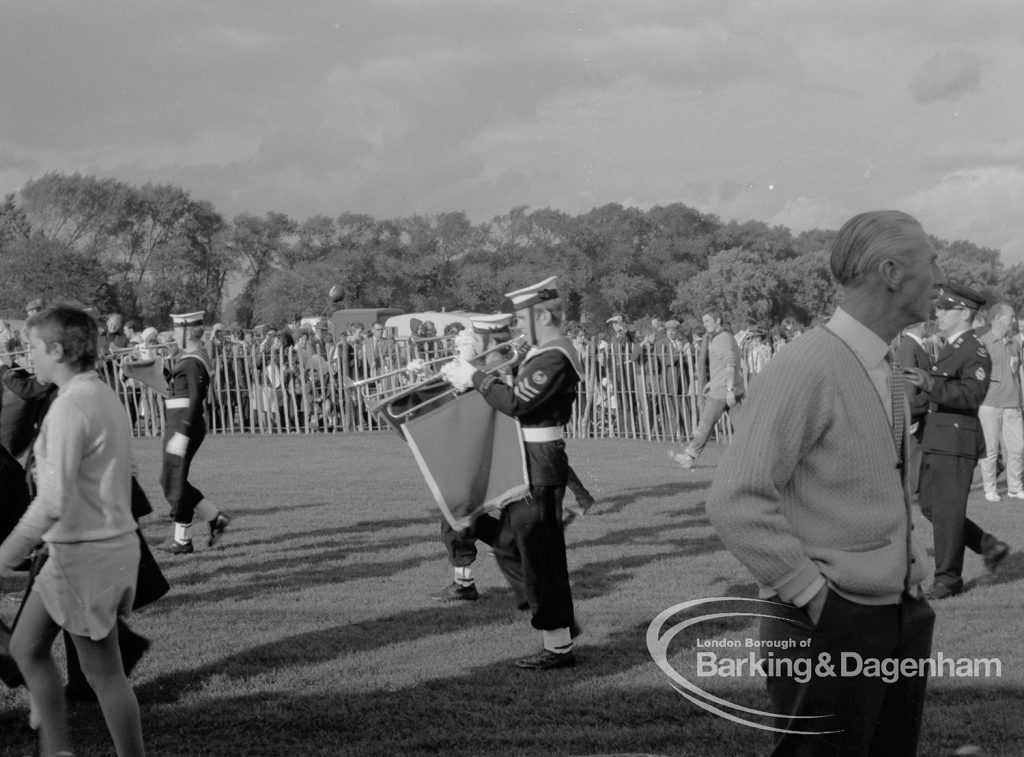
x: 724, y: 390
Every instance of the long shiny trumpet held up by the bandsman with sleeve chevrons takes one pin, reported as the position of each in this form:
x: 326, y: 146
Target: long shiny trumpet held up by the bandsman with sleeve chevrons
x: 385, y: 399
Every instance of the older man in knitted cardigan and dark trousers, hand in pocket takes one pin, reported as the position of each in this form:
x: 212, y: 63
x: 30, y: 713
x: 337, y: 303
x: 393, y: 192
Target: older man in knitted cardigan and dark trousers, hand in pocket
x: 813, y: 498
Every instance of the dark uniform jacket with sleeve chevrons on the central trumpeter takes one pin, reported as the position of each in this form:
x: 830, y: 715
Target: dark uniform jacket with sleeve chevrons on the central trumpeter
x: 542, y: 399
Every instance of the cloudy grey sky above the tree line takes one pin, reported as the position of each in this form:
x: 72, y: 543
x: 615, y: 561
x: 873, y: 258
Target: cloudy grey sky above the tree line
x: 793, y: 113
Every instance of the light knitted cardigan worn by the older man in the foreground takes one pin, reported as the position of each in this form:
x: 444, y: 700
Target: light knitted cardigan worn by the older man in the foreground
x: 810, y: 486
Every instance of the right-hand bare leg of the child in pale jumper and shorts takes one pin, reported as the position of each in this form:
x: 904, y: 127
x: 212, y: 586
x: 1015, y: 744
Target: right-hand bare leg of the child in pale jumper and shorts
x: 105, y: 671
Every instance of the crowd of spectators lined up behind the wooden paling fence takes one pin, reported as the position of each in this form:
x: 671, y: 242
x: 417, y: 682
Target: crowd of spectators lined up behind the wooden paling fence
x: 645, y: 378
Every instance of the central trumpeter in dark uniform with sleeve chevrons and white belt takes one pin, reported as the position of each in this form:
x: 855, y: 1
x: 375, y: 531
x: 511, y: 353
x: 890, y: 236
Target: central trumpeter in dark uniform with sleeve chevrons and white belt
x: 528, y: 539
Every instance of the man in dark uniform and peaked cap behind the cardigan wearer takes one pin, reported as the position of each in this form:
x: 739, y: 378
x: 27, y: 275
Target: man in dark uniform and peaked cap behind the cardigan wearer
x: 954, y: 441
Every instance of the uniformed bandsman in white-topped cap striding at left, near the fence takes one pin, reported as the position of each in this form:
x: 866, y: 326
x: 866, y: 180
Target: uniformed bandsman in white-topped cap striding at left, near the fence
x: 184, y: 433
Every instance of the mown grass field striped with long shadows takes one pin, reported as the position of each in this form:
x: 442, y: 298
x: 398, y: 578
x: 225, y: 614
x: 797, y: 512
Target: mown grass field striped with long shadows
x: 312, y: 633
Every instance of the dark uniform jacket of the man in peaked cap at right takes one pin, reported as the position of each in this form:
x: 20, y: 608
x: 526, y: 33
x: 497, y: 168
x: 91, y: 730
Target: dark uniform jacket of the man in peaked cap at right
x: 962, y: 374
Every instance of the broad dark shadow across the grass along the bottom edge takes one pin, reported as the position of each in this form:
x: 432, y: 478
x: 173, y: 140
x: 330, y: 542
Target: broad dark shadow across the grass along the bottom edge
x: 453, y: 717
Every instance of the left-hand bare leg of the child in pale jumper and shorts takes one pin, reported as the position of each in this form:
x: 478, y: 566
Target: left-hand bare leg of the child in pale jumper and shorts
x: 30, y: 646
